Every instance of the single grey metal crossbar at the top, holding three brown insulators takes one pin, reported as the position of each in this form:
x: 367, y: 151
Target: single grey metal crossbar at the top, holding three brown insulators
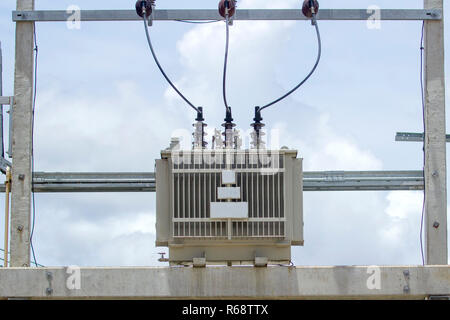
x: 241, y: 14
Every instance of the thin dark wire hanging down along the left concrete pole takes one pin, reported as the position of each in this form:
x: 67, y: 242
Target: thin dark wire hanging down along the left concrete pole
x: 32, y: 142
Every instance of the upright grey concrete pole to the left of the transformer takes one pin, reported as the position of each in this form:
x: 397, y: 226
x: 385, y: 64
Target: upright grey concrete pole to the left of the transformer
x: 21, y: 143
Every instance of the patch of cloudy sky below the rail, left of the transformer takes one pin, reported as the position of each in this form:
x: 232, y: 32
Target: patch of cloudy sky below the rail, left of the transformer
x: 99, y: 230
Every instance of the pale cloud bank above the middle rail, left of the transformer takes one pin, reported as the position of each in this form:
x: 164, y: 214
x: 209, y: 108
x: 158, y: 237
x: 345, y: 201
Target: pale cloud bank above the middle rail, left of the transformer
x: 123, y: 131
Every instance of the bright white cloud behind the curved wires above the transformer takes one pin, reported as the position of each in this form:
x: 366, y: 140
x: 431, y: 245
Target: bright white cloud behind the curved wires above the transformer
x: 253, y: 56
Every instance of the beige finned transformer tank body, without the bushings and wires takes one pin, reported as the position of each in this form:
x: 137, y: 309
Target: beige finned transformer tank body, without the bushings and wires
x: 228, y: 205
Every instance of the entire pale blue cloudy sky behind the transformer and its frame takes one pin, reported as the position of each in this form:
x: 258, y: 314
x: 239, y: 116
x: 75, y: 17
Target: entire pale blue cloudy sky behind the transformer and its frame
x: 102, y: 105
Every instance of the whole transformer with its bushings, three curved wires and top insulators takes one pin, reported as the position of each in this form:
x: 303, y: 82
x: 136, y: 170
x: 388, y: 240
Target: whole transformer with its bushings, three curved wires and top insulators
x: 227, y: 204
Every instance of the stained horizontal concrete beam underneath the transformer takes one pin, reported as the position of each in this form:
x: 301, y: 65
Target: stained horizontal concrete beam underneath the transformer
x: 347, y: 282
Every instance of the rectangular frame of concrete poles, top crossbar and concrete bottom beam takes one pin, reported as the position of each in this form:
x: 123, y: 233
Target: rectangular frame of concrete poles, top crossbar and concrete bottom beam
x: 428, y: 280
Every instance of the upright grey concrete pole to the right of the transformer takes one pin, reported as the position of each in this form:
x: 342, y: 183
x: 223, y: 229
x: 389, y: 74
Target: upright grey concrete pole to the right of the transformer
x: 435, y: 141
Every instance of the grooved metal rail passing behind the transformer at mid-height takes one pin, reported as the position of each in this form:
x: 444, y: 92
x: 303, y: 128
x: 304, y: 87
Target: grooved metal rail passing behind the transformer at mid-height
x: 50, y: 182
